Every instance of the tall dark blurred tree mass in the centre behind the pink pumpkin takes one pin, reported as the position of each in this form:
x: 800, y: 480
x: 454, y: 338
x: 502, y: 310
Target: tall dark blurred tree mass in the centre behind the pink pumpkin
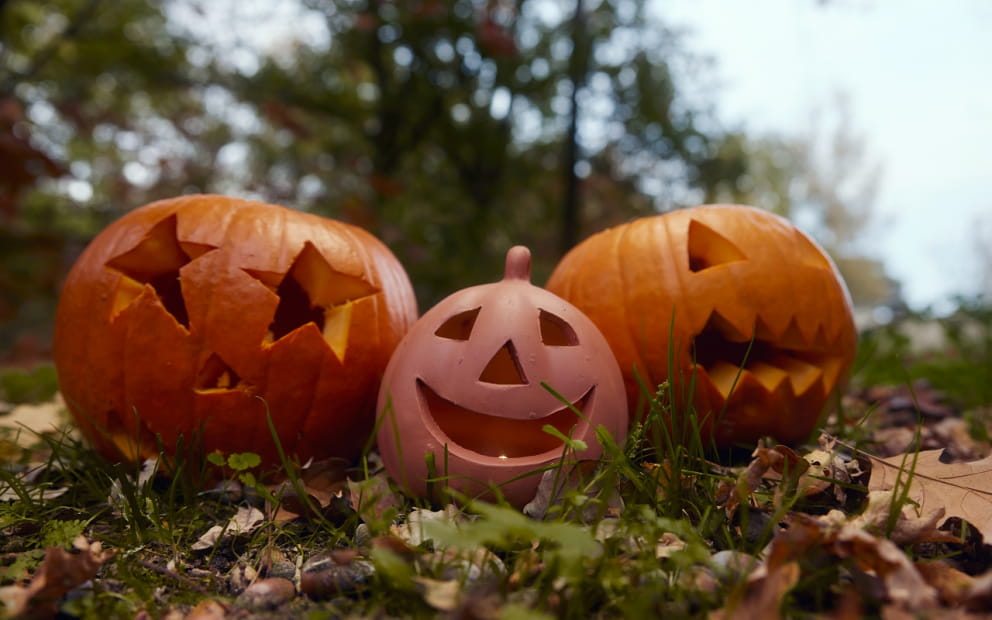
x: 456, y: 129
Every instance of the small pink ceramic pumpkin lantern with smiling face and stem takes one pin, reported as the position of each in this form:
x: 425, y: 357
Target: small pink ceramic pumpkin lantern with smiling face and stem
x: 467, y: 384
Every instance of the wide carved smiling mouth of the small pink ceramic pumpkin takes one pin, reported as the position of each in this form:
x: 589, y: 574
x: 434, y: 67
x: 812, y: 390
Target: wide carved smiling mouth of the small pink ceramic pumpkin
x: 495, y: 436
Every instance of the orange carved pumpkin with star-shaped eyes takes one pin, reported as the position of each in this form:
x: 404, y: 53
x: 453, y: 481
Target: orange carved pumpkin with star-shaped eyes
x: 193, y: 317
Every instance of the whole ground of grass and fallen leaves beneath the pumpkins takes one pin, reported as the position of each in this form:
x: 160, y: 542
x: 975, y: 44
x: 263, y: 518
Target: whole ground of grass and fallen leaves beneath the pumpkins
x: 885, y: 516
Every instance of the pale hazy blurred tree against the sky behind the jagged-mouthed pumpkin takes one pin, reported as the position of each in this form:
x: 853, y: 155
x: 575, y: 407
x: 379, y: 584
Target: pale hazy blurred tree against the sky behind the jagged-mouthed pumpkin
x: 825, y: 182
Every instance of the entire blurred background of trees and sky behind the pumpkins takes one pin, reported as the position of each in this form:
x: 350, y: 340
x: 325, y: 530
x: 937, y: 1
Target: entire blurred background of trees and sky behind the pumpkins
x: 454, y: 129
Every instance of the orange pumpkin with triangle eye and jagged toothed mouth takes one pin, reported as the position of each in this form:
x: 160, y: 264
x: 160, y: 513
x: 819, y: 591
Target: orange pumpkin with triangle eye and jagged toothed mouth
x: 754, y: 313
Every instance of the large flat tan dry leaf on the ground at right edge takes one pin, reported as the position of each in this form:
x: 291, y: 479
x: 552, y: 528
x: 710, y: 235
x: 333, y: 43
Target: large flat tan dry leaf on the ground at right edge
x: 964, y: 489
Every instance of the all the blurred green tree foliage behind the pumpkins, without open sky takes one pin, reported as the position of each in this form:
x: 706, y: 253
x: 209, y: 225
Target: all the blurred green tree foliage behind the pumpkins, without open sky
x: 452, y: 130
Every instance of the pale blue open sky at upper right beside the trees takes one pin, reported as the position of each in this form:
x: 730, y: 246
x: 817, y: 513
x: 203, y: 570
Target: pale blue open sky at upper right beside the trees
x: 916, y: 74
